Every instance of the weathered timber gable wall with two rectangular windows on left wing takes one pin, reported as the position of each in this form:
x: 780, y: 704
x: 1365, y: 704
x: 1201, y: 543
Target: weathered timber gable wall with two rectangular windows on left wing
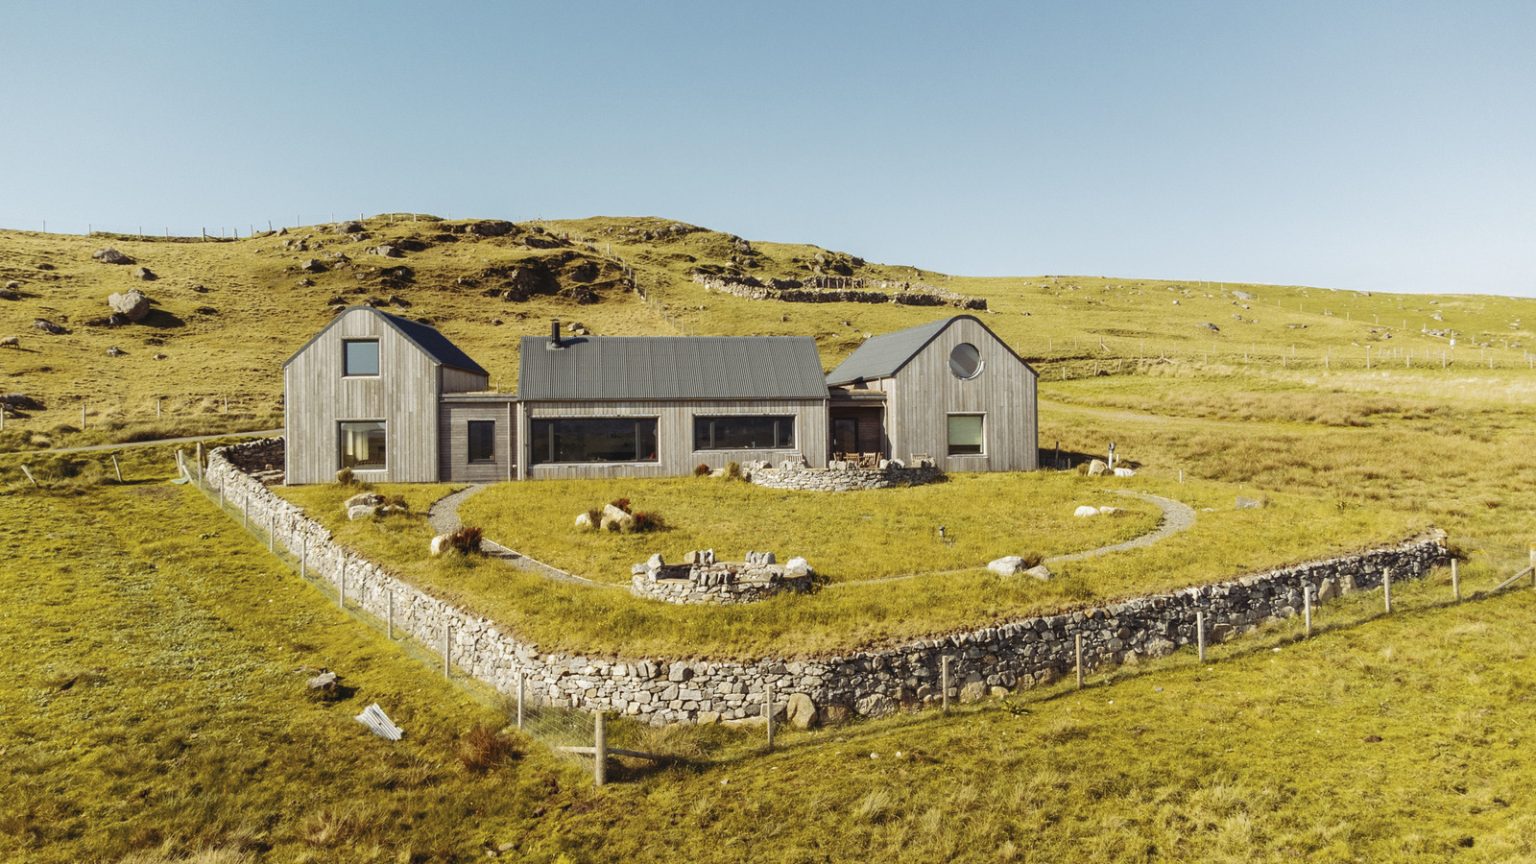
x: 405, y: 396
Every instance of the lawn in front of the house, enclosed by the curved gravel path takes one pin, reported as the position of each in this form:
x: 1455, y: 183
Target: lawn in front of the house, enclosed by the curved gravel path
x: 847, y: 537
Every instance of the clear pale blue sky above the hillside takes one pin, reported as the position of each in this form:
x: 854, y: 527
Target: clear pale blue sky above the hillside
x: 1386, y: 147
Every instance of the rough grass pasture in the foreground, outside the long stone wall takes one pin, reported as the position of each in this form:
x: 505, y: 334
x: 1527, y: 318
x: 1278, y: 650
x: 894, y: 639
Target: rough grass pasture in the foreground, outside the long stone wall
x: 156, y: 709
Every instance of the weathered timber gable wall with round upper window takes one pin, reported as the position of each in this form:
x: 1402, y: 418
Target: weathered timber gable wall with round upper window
x: 924, y: 394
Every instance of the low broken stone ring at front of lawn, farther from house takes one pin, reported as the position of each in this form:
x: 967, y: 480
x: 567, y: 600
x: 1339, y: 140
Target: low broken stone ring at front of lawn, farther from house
x: 703, y: 580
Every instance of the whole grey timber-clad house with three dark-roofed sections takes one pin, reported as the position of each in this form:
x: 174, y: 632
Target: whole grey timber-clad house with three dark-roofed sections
x: 396, y: 402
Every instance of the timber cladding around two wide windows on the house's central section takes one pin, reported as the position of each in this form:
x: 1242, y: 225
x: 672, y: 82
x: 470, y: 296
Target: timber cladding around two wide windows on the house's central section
x: 675, y: 436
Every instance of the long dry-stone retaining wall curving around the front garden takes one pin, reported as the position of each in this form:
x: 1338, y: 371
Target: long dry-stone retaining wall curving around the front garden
x: 870, y: 683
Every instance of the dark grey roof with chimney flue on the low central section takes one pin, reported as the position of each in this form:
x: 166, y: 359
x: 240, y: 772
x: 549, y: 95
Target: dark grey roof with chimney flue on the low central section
x: 670, y: 368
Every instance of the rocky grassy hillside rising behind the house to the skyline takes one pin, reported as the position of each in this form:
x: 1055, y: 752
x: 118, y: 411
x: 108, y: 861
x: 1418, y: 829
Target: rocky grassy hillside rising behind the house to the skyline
x: 228, y: 314
